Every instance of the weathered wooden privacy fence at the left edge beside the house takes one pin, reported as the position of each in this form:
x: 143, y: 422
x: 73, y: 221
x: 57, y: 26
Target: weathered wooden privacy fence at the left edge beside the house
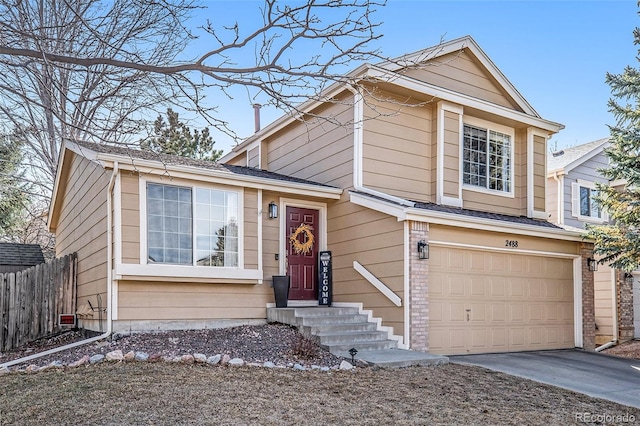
x: 31, y: 300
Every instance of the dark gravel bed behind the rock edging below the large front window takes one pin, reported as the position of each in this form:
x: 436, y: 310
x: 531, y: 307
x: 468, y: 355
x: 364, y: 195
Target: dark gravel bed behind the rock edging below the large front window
x: 278, y: 343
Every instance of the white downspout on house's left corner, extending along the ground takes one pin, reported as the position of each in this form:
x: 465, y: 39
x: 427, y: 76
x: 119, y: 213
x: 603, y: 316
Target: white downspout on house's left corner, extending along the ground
x: 109, y: 287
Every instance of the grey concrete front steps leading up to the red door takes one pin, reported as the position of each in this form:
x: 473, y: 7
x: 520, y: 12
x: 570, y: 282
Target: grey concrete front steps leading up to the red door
x: 336, y: 329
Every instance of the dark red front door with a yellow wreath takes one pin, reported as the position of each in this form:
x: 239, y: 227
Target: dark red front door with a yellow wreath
x: 302, y: 252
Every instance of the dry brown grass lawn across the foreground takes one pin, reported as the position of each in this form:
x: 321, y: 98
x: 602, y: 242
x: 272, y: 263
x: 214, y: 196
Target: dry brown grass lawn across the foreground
x: 168, y: 394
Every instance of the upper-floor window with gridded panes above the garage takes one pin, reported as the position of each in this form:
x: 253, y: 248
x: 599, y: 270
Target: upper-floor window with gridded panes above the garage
x: 486, y: 158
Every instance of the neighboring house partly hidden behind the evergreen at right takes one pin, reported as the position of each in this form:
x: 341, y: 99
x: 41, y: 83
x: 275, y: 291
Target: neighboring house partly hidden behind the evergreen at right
x: 572, y: 175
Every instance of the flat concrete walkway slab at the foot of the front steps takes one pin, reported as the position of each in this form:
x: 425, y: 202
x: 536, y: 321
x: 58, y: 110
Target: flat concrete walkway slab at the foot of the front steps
x: 397, y: 358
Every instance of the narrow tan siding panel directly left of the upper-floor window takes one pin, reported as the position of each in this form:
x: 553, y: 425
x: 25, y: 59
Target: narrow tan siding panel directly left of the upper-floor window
x: 452, y: 163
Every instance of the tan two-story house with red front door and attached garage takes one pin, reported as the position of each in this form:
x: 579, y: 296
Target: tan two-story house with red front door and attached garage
x: 430, y: 197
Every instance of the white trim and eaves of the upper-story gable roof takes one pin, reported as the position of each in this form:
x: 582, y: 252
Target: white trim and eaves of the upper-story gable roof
x: 388, y: 72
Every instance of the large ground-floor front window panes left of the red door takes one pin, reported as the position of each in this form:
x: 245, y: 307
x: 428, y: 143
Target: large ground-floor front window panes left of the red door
x: 176, y: 214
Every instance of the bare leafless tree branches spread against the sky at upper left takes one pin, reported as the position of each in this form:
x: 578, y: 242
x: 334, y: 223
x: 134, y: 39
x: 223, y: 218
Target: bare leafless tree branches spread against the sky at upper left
x: 102, y: 70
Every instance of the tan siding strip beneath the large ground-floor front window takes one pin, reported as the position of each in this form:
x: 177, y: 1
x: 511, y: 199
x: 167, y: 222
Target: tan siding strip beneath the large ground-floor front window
x: 189, y: 301
